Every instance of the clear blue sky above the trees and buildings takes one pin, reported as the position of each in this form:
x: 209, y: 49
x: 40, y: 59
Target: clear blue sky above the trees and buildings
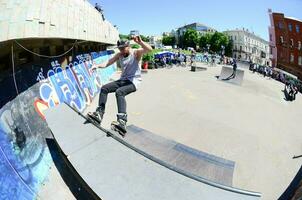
x: 157, y: 16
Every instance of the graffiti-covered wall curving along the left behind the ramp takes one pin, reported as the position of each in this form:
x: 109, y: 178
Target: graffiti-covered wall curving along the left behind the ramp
x: 24, y: 155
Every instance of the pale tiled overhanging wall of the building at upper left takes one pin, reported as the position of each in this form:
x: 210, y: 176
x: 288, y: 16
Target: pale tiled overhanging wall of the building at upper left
x: 72, y: 19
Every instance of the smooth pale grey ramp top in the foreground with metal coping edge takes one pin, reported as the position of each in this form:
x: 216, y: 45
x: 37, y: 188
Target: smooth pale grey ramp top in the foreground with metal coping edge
x: 114, y: 169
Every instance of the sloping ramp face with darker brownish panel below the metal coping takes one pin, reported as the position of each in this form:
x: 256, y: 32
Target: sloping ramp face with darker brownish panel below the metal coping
x: 193, y: 161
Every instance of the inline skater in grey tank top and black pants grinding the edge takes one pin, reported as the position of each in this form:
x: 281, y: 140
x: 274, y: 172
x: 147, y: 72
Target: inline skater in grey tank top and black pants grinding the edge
x: 129, y: 60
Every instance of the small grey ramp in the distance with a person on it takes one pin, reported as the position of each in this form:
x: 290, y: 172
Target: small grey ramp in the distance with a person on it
x: 229, y: 76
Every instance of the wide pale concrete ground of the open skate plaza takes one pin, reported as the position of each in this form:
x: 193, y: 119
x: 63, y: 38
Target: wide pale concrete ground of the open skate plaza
x: 250, y: 124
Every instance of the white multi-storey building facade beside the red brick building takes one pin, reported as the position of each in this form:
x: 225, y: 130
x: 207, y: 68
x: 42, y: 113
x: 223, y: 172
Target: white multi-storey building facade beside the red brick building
x: 249, y: 47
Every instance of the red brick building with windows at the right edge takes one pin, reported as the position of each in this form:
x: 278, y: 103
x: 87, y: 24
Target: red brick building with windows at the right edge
x: 285, y: 43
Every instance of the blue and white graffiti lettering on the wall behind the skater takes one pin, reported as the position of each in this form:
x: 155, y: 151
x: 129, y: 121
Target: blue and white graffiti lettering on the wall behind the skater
x: 76, y: 85
